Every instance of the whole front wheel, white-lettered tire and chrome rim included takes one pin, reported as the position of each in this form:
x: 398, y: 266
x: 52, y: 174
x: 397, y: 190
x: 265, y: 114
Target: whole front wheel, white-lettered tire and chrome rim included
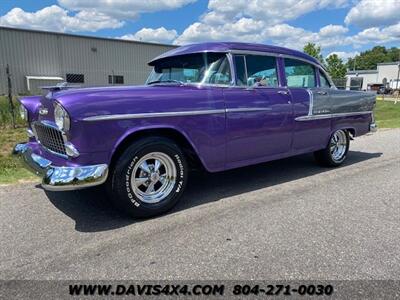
x: 149, y: 177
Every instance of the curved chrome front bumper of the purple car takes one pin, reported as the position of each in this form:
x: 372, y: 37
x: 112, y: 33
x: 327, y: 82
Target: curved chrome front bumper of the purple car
x: 61, y: 178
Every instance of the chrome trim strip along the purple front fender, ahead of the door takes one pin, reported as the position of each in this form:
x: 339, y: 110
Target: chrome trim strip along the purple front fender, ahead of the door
x: 155, y: 115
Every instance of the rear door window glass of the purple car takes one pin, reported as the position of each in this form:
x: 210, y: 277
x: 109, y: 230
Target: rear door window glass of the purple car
x: 299, y: 73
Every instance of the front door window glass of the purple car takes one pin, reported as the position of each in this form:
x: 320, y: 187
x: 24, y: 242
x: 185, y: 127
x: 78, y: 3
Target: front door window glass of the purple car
x: 256, y: 70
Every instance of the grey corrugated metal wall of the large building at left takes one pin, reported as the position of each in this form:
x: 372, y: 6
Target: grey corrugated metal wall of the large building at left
x: 37, y: 53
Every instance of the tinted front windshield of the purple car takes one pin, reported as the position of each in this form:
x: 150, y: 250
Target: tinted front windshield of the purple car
x: 210, y: 68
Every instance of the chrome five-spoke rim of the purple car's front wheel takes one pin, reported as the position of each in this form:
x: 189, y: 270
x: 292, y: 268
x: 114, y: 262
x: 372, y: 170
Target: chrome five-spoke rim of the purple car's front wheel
x: 153, y: 177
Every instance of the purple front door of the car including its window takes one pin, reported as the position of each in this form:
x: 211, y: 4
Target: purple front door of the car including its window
x: 259, y: 117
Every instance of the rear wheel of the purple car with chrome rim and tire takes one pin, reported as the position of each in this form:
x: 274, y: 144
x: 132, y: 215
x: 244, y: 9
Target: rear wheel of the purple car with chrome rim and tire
x: 335, y: 152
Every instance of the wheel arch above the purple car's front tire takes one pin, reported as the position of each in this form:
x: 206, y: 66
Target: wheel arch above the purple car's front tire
x: 181, y: 138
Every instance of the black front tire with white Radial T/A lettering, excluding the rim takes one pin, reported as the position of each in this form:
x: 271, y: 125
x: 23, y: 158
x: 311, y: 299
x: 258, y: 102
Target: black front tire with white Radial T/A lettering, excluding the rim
x: 123, y: 175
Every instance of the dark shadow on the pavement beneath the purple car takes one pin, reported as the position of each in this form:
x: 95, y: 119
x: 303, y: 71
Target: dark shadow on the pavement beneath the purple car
x: 92, y: 212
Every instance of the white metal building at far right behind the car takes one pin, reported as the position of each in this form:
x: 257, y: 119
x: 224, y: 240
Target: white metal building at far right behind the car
x: 385, y: 73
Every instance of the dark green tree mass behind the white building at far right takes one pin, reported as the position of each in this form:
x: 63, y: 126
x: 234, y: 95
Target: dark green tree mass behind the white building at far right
x: 369, y: 59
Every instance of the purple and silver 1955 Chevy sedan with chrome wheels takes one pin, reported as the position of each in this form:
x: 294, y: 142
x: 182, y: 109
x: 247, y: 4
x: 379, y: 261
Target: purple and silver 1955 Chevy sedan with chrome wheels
x: 215, y: 105
